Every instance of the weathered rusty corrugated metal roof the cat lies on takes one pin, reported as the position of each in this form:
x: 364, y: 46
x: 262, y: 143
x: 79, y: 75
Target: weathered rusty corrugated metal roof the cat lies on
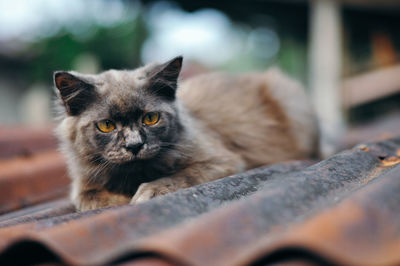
x: 343, y: 210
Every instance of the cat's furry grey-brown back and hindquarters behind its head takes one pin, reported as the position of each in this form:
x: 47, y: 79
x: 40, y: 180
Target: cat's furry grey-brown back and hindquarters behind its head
x: 265, y: 117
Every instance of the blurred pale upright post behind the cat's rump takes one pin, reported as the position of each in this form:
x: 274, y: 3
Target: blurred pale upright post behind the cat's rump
x: 325, y: 71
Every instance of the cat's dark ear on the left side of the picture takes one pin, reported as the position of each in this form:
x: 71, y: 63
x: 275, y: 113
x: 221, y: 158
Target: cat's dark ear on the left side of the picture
x: 75, y: 93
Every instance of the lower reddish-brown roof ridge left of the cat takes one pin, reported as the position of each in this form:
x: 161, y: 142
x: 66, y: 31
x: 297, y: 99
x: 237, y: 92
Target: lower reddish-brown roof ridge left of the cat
x: 29, y: 180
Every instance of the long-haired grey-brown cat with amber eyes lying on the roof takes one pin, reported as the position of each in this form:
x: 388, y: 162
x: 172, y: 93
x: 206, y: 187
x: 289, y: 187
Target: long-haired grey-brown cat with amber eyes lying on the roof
x: 129, y: 136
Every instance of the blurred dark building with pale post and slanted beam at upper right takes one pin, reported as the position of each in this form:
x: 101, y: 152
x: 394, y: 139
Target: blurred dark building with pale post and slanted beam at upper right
x: 353, y: 54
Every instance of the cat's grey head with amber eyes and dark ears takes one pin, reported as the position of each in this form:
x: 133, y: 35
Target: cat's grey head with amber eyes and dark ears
x: 121, y: 116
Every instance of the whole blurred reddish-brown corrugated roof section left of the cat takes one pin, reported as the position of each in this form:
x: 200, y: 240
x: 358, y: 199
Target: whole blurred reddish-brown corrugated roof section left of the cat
x: 31, y: 170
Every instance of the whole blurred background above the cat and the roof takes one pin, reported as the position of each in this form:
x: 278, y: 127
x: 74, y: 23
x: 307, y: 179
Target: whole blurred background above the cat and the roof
x: 347, y: 53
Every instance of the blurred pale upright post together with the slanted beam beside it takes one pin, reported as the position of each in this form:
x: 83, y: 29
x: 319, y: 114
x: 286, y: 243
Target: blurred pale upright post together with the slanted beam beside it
x: 333, y: 96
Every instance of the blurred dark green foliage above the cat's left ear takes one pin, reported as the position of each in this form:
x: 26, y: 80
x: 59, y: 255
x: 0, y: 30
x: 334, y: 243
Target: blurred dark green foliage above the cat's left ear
x: 115, y: 47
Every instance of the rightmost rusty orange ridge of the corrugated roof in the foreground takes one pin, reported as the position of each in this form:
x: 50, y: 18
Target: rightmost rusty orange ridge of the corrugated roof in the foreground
x: 363, y: 229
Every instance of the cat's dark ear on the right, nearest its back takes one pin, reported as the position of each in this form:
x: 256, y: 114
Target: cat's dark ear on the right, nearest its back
x: 164, y: 78
